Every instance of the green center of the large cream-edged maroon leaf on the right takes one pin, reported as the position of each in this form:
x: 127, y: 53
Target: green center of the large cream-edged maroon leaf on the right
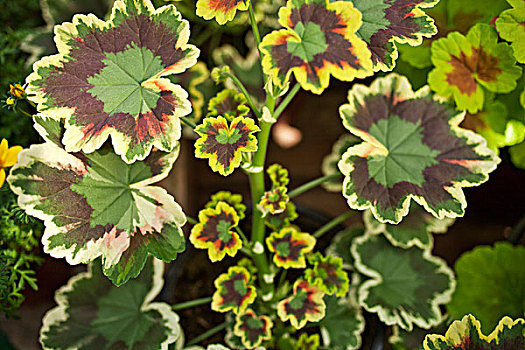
x: 407, y: 156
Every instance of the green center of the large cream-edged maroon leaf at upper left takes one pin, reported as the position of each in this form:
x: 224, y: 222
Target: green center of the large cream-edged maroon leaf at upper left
x: 118, y: 84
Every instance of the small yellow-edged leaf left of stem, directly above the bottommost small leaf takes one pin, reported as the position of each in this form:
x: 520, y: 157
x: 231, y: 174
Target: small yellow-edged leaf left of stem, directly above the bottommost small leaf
x: 233, y: 291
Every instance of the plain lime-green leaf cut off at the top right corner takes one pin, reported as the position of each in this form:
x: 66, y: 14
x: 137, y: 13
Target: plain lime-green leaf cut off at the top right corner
x: 510, y: 26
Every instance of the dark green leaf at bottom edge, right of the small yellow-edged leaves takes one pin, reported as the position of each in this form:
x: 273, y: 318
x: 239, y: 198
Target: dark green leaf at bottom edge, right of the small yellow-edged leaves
x: 343, y: 324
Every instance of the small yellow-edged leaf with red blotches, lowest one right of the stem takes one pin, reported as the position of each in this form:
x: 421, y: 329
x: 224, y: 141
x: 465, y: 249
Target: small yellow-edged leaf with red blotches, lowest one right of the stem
x: 305, y: 305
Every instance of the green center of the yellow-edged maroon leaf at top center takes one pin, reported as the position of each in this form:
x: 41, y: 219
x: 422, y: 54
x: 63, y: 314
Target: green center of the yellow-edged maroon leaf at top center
x: 312, y: 41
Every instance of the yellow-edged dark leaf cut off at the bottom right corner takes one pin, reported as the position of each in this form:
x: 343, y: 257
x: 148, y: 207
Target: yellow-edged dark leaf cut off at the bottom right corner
x: 466, y: 334
